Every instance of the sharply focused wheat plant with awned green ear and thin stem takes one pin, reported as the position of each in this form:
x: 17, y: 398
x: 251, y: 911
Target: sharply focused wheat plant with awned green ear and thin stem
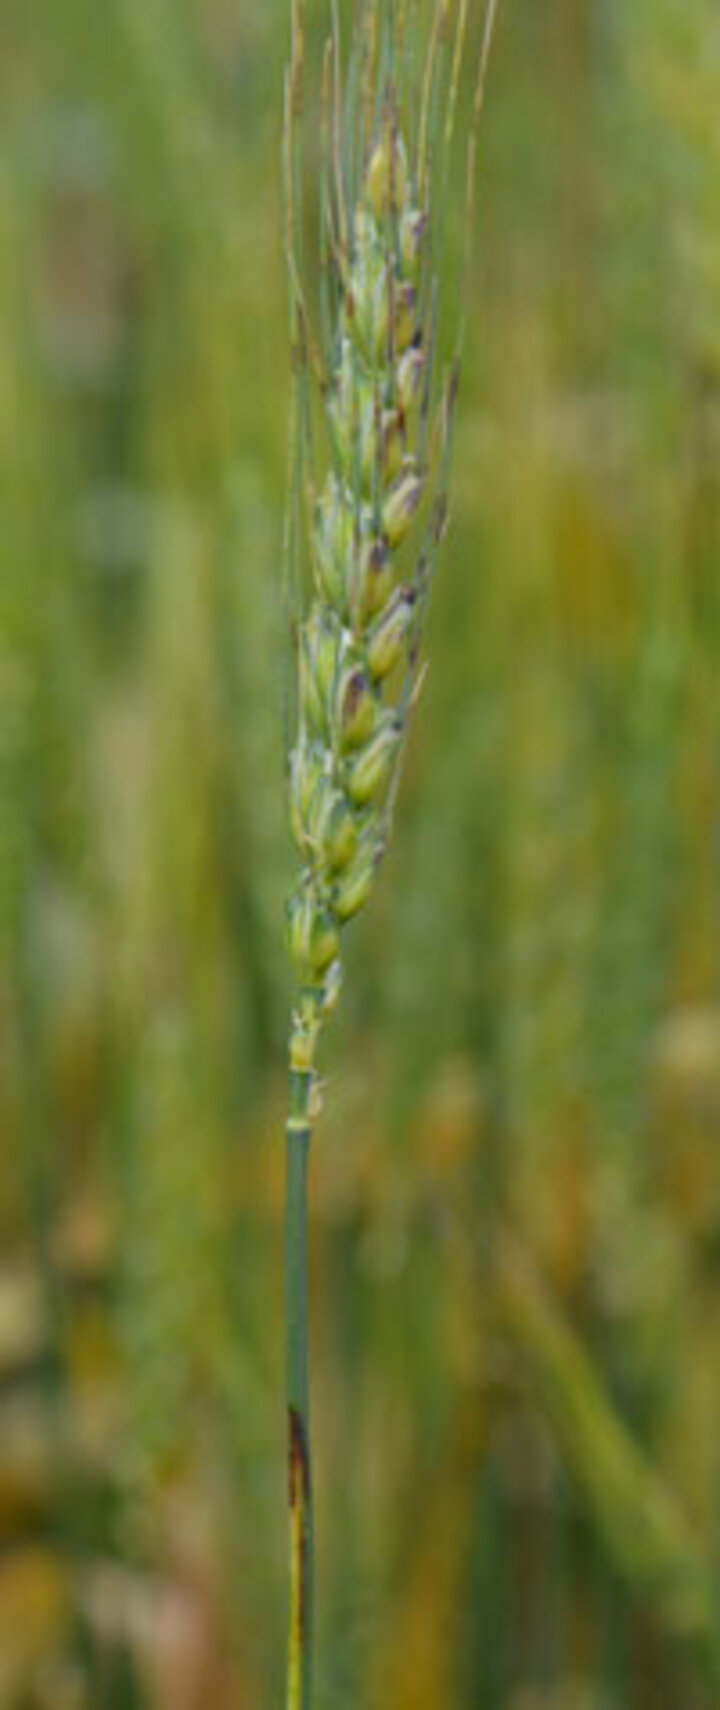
x: 370, y: 449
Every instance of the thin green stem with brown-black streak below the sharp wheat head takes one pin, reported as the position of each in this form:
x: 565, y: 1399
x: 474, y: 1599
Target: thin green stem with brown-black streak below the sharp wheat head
x: 300, y: 1636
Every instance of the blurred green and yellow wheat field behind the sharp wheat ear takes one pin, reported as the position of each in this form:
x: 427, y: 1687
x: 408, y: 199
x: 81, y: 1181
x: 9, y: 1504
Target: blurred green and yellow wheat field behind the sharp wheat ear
x: 517, y: 1172
